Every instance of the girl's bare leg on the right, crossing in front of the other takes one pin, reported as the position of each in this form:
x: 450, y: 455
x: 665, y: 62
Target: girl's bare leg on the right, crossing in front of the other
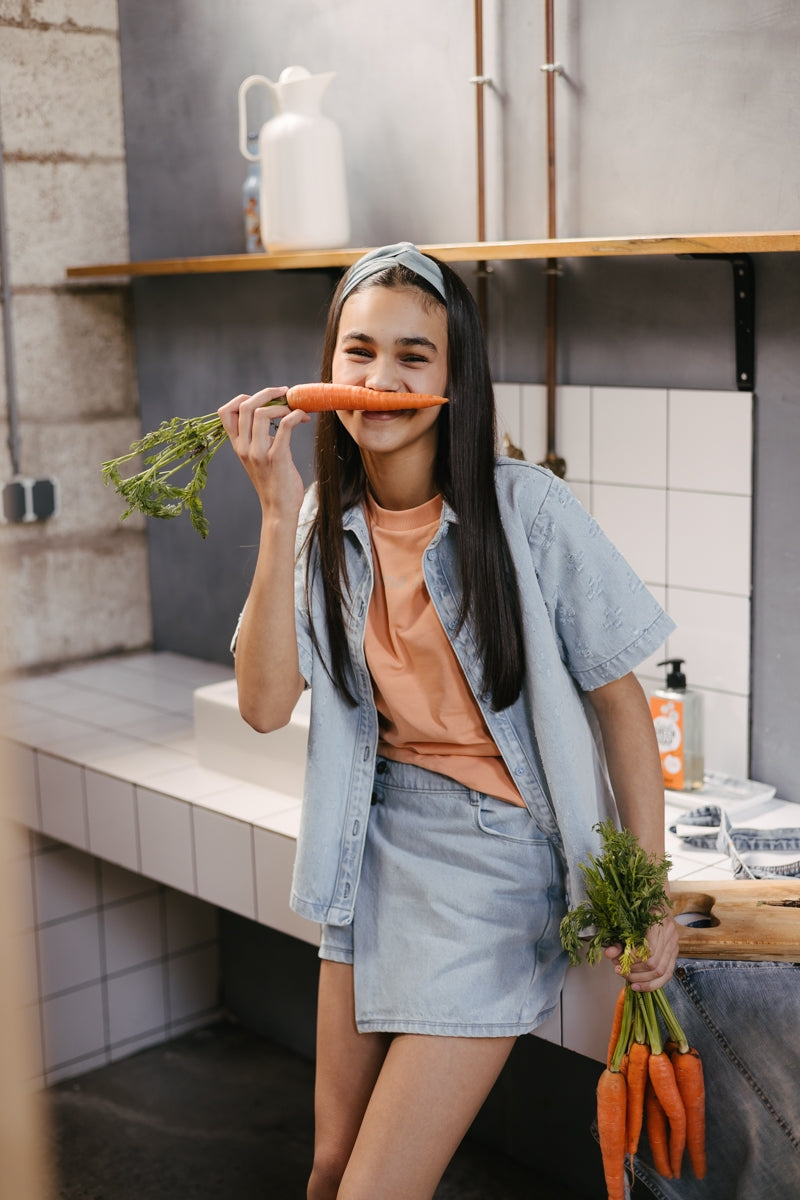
x: 428, y: 1095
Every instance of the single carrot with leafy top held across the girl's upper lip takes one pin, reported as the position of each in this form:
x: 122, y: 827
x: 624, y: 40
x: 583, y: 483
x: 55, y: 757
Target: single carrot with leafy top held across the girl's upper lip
x: 159, y: 490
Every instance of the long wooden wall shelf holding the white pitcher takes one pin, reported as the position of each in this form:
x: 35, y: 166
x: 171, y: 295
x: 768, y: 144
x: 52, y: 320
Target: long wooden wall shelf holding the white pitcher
x: 459, y: 253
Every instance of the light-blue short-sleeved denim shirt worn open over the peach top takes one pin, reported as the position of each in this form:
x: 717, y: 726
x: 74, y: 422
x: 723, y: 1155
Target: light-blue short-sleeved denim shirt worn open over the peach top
x: 587, y: 621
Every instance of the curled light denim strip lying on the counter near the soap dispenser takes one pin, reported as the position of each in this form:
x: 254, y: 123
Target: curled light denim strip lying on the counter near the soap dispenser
x: 744, y: 847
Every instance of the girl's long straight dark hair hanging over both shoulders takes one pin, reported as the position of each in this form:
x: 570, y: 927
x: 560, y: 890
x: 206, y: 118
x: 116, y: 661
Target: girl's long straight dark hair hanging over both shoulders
x: 465, y: 475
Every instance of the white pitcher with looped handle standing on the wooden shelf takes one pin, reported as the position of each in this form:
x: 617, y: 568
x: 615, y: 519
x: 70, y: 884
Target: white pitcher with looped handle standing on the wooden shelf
x: 304, y: 189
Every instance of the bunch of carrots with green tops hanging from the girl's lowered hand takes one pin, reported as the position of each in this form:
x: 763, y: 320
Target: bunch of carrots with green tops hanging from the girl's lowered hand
x: 651, y: 1082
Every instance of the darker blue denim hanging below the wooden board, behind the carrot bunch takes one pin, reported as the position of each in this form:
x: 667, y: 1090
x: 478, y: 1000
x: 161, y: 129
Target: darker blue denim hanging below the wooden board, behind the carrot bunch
x: 743, y: 1018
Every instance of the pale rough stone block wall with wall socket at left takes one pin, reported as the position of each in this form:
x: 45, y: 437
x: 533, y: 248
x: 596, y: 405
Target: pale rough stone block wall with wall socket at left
x: 75, y: 586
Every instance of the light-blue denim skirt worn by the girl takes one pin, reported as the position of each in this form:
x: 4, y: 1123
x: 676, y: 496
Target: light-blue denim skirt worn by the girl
x: 456, y: 927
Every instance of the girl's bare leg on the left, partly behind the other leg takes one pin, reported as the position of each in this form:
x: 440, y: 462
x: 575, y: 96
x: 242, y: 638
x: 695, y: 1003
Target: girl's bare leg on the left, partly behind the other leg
x: 348, y: 1065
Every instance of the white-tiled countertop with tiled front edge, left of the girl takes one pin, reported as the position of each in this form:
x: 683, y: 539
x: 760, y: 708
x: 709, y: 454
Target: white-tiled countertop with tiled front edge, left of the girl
x: 104, y: 758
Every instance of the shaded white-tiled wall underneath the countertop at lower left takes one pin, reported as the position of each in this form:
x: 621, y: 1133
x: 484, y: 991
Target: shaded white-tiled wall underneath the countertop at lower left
x: 116, y: 961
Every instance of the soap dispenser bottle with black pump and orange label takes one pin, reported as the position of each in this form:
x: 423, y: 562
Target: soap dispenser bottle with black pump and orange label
x: 678, y: 719
